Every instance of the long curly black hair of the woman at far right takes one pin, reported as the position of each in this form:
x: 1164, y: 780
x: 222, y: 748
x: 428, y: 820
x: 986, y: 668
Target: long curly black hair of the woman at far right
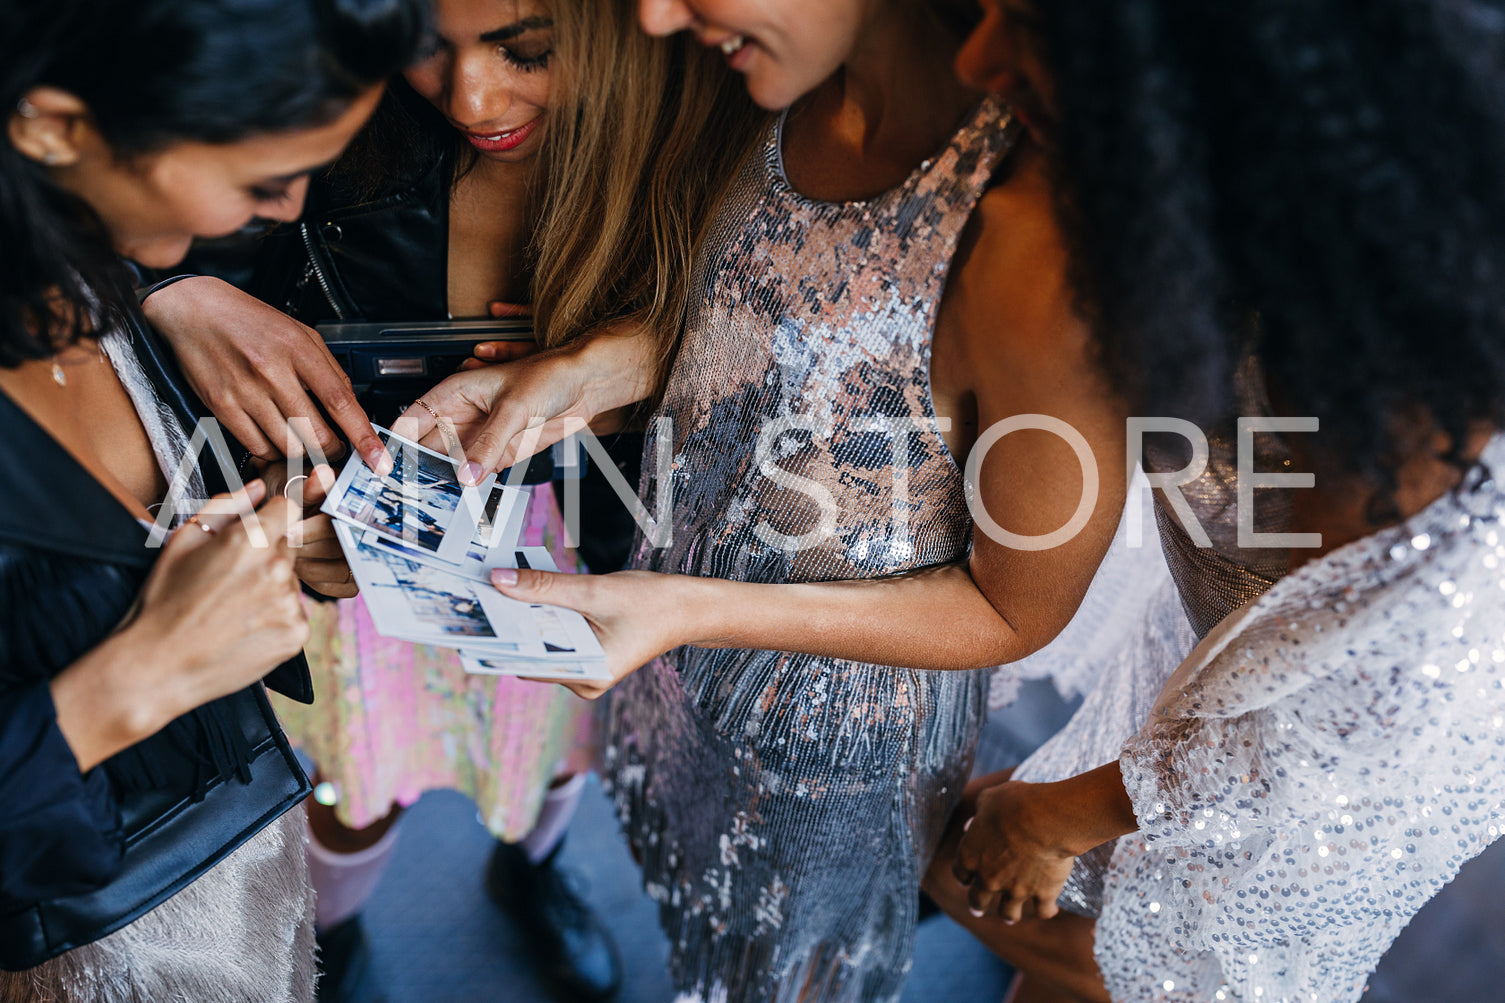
x: 1322, y: 180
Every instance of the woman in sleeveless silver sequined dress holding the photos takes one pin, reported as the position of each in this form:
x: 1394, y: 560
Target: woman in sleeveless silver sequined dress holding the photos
x: 771, y: 760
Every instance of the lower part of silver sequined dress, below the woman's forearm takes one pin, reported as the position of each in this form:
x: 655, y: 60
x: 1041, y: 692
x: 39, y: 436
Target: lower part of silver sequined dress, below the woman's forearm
x: 785, y: 809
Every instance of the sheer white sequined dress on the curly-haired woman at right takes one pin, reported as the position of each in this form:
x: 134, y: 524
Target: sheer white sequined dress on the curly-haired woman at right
x: 1321, y: 767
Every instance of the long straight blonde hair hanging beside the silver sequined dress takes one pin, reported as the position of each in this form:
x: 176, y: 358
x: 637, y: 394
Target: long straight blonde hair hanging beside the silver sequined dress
x: 645, y: 139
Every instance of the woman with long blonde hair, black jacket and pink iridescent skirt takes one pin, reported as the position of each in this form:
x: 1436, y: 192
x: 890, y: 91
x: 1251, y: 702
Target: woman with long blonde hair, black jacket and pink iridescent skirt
x: 529, y: 160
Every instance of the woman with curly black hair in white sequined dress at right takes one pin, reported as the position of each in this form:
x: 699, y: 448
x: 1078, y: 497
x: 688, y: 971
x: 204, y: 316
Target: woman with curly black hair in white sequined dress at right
x: 1330, y: 755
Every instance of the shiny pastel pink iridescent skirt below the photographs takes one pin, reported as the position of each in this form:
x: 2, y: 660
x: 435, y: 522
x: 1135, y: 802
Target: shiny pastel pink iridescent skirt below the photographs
x: 392, y: 721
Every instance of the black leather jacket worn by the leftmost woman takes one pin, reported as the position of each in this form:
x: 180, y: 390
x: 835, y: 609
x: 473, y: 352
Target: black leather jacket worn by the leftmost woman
x: 85, y: 855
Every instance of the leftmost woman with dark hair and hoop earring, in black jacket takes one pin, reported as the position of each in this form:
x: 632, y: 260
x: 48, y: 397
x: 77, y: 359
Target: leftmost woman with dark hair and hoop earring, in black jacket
x: 150, y: 847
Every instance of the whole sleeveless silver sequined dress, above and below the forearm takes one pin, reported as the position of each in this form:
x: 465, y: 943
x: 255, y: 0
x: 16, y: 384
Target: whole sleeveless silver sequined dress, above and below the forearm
x: 785, y: 805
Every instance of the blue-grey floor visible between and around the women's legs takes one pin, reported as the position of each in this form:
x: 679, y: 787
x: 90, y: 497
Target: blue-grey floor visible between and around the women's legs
x: 437, y: 939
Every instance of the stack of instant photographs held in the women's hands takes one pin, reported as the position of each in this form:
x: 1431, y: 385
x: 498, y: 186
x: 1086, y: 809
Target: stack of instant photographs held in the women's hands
x: 424, y: 546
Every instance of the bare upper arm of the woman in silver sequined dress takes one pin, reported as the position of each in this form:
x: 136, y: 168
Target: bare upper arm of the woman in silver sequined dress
x: 1050, y: 493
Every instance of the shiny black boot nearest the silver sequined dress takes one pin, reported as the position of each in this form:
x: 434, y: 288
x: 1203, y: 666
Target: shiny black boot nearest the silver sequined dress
x: 574, y: 953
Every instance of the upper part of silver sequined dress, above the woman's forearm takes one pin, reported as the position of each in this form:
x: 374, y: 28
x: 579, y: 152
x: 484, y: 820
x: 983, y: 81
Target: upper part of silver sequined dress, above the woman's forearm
x: 804, y: 433
